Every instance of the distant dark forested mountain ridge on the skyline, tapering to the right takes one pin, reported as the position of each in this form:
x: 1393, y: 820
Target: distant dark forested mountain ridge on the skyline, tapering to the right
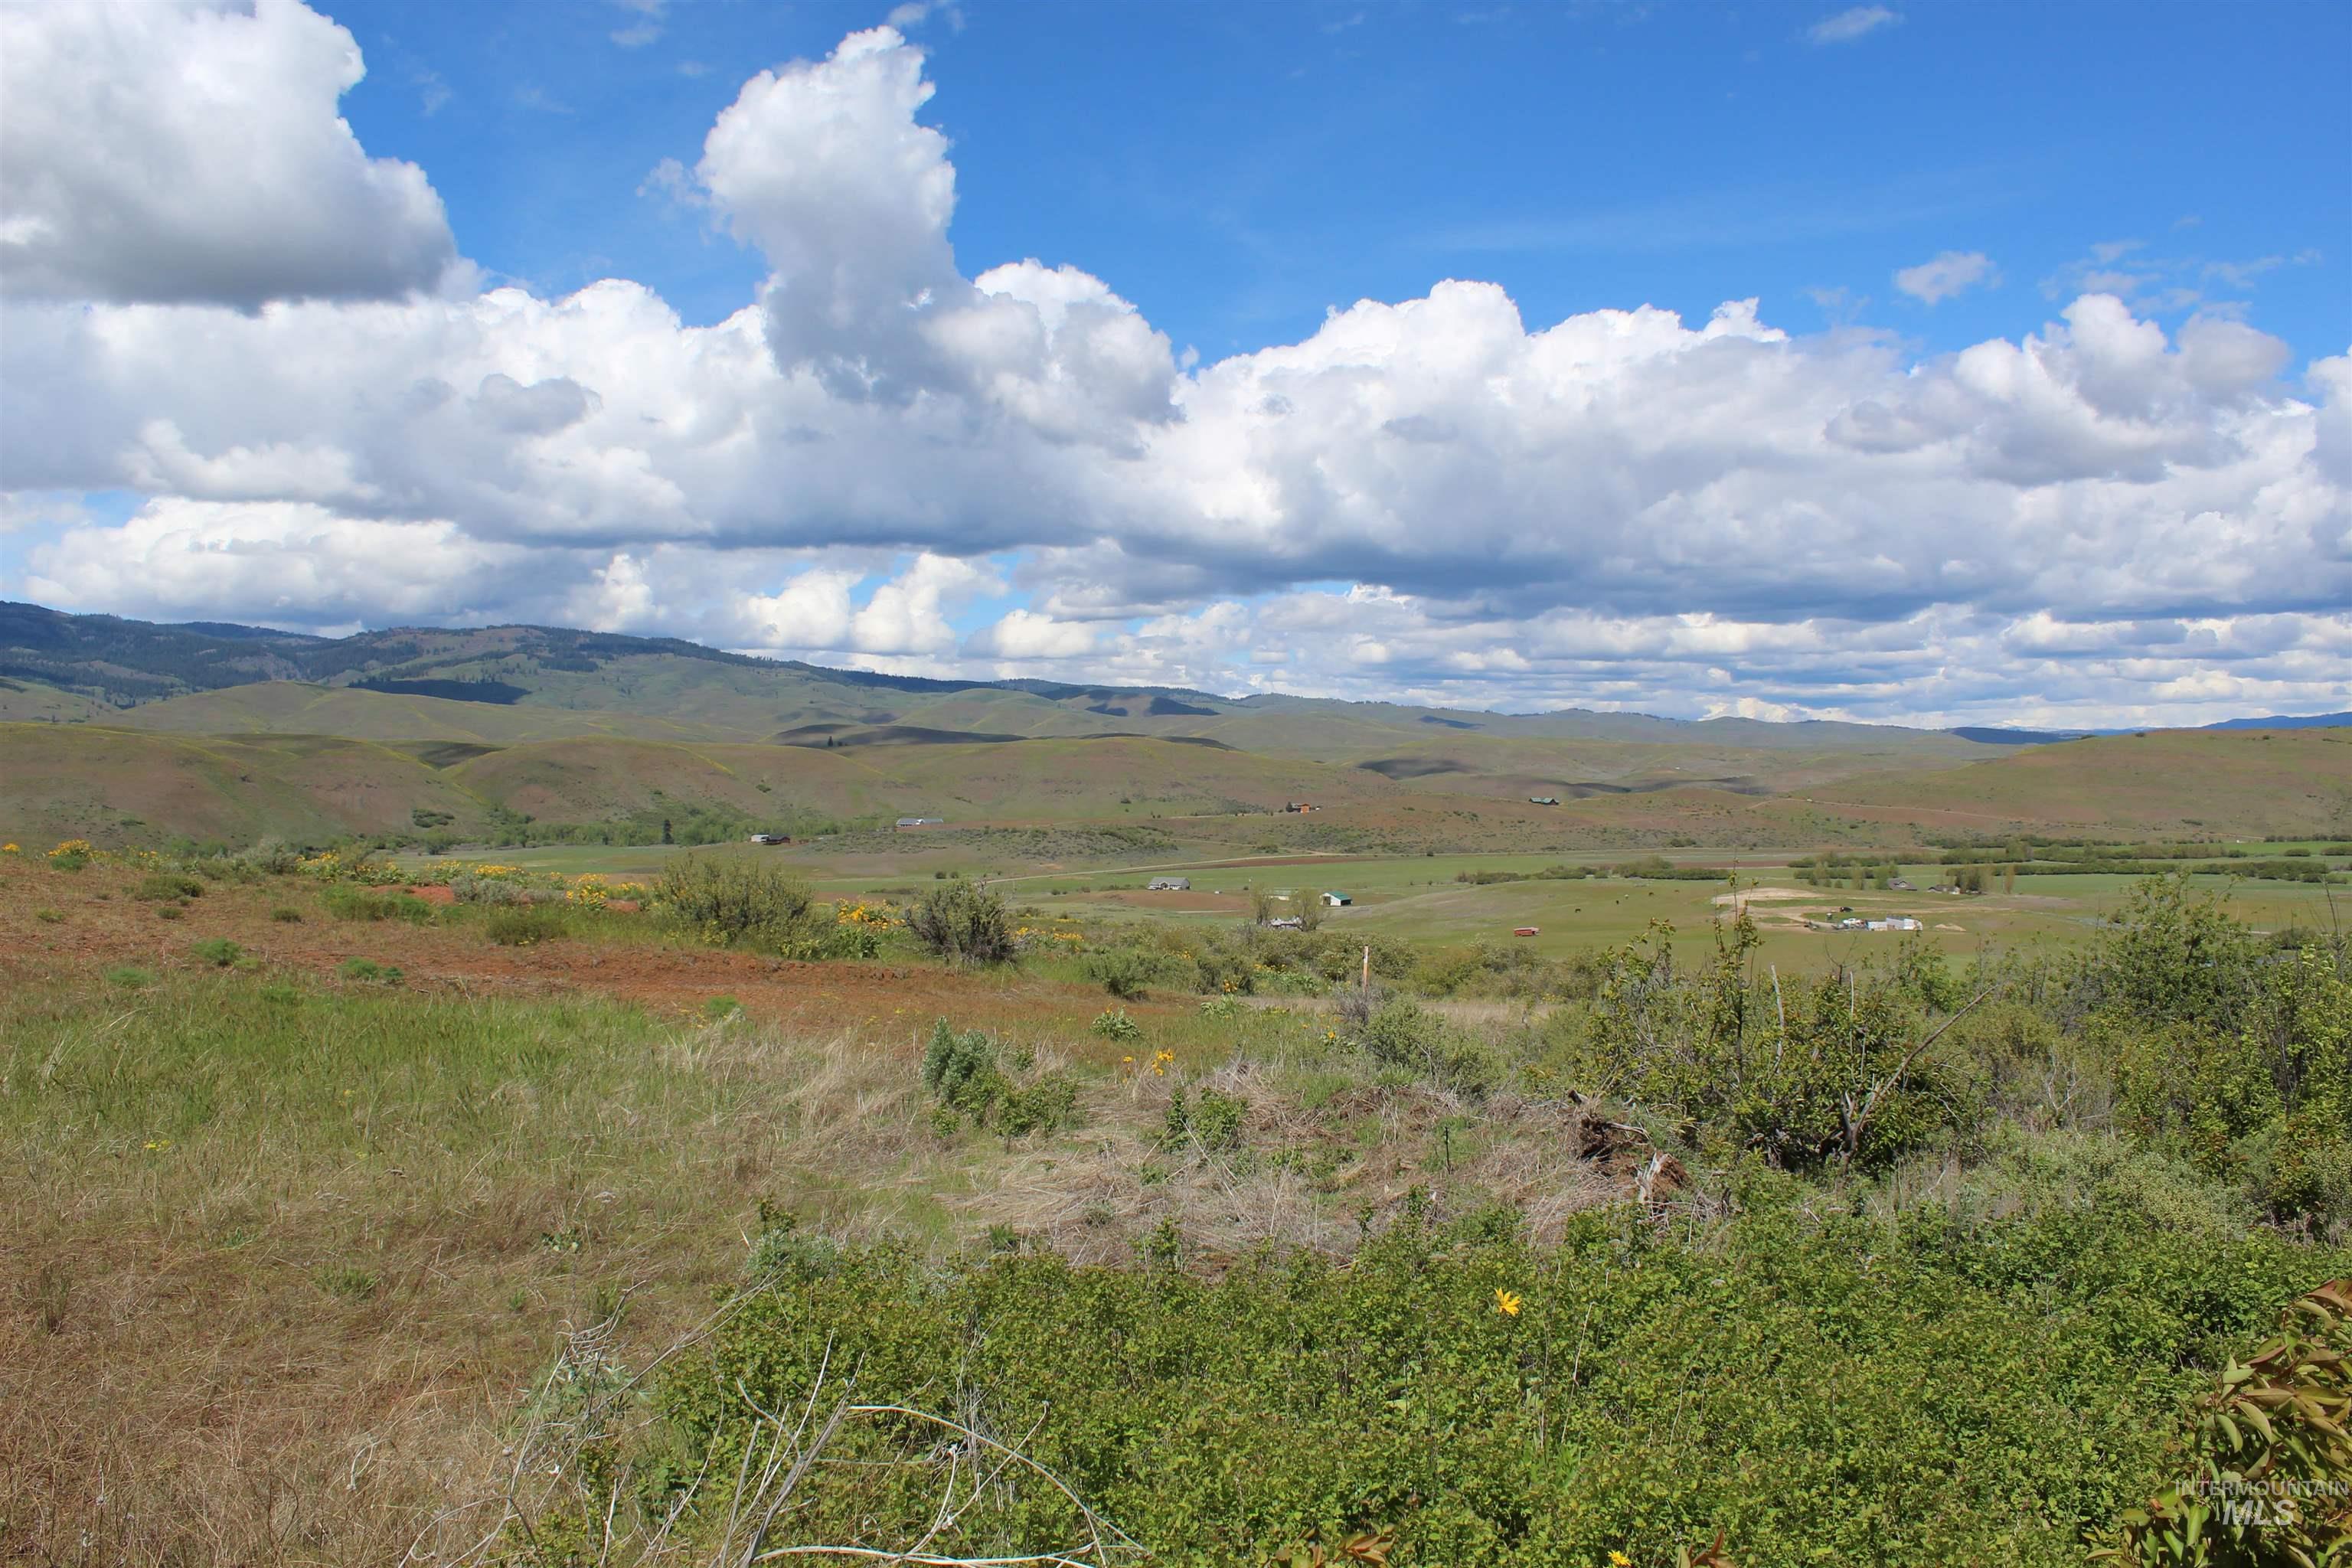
x: 697, y: 692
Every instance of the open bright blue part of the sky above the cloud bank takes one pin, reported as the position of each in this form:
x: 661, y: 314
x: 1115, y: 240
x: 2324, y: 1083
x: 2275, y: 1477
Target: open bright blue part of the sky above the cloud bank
x: 1241, y: 168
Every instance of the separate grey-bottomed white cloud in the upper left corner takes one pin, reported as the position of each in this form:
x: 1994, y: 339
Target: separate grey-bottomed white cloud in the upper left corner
x: 194, y: 152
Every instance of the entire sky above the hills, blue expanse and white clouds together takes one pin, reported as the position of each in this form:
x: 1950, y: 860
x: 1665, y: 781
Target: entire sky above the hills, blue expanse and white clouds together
x: 1930, y: 363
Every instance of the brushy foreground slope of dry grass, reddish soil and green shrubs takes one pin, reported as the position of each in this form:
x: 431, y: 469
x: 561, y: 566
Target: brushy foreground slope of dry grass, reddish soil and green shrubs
x: 335, y: 1231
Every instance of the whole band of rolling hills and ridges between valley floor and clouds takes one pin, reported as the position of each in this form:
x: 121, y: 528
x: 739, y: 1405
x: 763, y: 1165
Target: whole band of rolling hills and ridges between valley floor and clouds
x: 119, y: 730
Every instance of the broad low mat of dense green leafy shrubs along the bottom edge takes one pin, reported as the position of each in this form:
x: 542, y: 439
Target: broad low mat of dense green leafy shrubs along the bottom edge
x: 1511, y: 1407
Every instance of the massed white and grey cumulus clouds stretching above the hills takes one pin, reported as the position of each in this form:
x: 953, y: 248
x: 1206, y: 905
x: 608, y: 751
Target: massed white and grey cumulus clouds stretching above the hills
x: 1619, y: 509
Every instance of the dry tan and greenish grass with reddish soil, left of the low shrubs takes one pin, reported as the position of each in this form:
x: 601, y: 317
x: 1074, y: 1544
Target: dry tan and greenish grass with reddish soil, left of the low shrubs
x: 302, y: 1327
